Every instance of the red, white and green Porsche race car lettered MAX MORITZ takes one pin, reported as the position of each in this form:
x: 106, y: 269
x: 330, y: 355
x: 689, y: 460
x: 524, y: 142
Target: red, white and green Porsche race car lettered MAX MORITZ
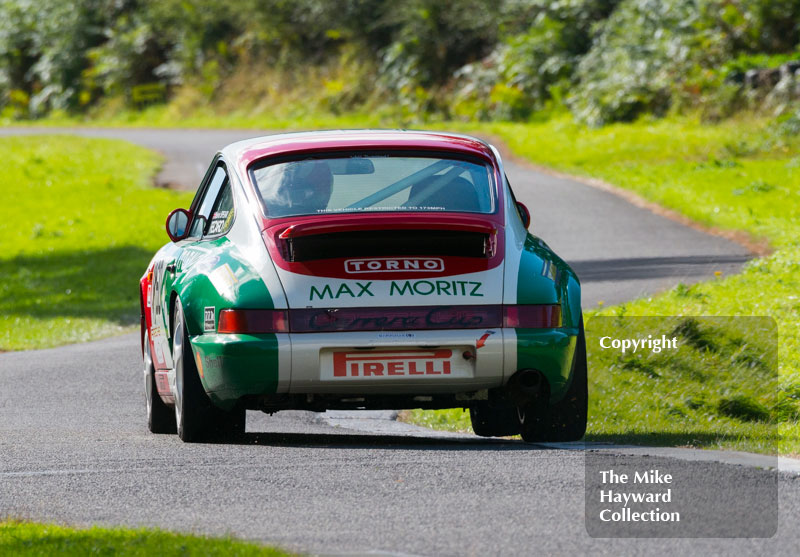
x: 360, y: 270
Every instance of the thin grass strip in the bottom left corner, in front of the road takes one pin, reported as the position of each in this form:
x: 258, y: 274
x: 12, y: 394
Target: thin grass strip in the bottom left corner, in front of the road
x: 33, y: 540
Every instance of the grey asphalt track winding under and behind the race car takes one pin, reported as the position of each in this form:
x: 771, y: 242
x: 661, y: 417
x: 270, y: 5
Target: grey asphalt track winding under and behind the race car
x: 74, y: 446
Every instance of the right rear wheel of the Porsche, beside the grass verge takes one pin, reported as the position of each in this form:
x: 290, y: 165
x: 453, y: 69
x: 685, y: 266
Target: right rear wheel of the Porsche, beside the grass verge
x: 565, y: 420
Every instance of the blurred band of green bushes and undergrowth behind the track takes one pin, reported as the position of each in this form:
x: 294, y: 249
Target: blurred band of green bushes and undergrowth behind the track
x: 602, y: 60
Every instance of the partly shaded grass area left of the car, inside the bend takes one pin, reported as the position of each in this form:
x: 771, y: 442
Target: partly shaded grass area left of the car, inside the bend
x: 79, y: 223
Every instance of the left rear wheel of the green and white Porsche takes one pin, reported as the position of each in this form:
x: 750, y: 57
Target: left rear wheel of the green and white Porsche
x: 196, y: 416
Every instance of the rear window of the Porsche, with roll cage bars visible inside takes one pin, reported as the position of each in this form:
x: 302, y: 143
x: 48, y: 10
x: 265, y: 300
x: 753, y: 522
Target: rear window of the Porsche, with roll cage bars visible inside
x: 374, y: 183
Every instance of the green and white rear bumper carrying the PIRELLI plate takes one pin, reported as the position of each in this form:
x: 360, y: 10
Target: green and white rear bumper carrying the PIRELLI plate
x: 233, y: 366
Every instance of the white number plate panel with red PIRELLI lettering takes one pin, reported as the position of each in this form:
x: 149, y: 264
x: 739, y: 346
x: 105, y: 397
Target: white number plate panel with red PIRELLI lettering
x: 382, y: 364
